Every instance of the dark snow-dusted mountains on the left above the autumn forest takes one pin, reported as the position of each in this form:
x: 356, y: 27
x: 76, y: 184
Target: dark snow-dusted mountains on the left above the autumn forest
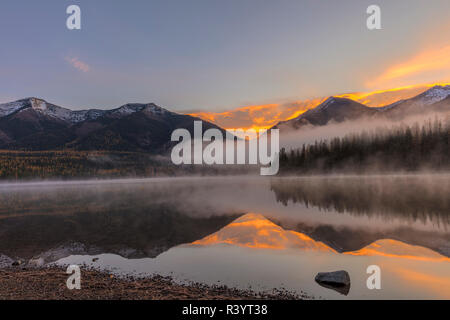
x: 34, y: 124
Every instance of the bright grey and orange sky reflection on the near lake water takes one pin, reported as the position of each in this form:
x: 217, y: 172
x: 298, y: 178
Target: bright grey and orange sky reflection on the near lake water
x: 254, y: 252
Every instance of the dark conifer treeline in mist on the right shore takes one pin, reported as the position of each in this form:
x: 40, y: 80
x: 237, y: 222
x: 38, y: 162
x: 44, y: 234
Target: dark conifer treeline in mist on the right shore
x: 409, y: 148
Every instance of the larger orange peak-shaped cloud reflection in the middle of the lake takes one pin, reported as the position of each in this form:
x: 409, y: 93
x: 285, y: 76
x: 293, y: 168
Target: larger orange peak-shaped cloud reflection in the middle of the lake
x: 255, y: 231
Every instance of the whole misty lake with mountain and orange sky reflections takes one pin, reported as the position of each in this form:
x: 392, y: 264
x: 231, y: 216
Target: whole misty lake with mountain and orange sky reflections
x: 243, y: 231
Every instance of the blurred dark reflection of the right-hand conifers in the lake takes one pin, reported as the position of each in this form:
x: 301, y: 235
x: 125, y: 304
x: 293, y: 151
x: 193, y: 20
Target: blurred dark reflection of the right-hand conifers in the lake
x: 419, y: 198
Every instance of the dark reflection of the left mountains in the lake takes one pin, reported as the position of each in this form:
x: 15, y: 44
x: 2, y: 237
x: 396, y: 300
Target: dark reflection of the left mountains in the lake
x: 133, y: 233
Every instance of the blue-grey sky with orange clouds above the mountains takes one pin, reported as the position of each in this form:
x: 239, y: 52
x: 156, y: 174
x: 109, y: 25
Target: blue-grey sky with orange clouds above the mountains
x: 217, y: 56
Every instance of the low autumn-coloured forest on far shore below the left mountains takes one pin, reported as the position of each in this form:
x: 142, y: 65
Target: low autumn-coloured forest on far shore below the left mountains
x: 34, y: 165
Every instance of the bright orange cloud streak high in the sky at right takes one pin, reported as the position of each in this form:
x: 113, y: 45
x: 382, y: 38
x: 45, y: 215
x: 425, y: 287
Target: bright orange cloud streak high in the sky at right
x: 427, y: 61
